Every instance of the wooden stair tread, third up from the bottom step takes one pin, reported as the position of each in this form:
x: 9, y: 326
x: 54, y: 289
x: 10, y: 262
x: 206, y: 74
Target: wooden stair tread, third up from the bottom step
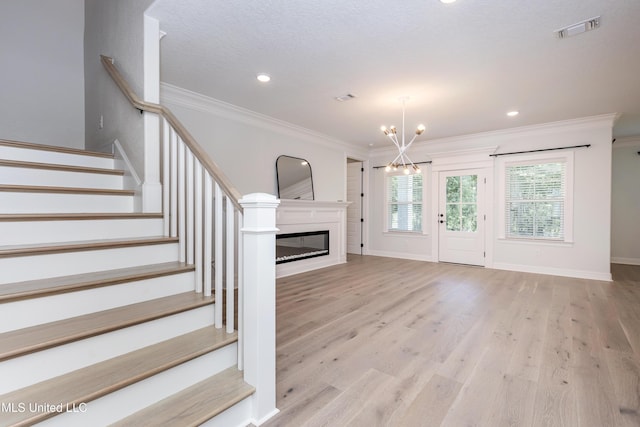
x: 40, y: 337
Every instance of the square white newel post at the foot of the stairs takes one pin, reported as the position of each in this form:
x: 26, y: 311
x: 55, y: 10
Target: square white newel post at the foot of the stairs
x: 259, y: 313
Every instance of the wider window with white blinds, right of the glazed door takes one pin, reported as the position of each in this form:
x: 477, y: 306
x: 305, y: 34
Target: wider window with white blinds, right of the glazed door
x: 536, y: 200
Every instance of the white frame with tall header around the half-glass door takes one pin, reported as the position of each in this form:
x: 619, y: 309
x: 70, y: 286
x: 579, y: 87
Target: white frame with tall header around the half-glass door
x: 460, y: 161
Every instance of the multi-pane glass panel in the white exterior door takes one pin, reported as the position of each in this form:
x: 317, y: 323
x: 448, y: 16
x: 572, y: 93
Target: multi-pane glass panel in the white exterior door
x: 462, y: 205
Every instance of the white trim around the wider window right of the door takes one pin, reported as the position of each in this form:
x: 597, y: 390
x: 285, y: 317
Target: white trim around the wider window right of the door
x: 567, y: 158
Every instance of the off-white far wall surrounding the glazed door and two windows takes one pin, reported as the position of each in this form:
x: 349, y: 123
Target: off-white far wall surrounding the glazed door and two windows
x: 589, y: 254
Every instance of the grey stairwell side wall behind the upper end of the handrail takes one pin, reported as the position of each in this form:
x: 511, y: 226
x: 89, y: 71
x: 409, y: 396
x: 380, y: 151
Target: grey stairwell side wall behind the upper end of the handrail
x: 115, y: 28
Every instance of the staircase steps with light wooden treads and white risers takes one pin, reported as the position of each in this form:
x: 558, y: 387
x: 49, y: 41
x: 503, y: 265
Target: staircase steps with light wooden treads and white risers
x: 99, y: 320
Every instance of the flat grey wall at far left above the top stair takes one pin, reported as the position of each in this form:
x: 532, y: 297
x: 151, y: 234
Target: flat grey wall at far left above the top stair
x: 42, y: 83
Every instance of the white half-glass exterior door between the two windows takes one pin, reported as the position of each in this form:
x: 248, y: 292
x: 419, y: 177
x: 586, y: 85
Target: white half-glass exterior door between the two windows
x: 461, y: 217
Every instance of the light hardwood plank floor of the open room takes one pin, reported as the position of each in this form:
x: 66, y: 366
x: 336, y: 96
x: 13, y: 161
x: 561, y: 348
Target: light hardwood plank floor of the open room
x: 390, y: 342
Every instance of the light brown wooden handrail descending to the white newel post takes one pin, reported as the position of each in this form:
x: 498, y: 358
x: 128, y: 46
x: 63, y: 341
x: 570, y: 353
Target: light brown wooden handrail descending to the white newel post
x: 182, y: 132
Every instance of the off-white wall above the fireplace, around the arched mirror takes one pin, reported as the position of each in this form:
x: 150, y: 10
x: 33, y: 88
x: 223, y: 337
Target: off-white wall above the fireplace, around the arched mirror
x: 245, y: 145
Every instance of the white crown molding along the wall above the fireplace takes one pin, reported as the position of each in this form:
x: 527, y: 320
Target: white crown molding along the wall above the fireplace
x: 185, y: 98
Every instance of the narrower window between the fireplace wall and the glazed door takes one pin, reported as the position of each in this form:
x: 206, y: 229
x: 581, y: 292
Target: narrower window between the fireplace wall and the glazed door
x: 404, y: 202
